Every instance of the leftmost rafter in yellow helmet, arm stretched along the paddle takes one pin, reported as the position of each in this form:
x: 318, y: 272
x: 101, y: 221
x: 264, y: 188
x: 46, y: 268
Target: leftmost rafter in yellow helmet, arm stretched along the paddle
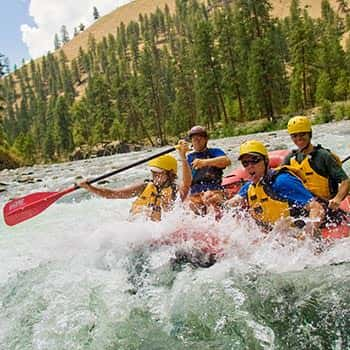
x: 153, y: 196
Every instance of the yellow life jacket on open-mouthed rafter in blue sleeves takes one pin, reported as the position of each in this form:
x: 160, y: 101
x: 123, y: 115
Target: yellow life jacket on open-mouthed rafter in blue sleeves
x: 266, y: 207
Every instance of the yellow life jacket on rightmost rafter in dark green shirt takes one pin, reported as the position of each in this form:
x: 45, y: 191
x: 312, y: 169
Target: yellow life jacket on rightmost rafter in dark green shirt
x: 316, y: 183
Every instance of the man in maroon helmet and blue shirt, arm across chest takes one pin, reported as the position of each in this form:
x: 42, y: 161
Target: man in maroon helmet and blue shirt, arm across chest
x: 202, y: 172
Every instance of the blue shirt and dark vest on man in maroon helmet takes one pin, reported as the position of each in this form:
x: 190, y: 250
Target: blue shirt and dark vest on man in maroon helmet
x: 208, y: 178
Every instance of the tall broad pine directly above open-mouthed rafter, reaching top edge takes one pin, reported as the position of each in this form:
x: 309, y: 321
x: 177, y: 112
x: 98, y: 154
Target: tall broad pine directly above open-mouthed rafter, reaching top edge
x: 260, y: 44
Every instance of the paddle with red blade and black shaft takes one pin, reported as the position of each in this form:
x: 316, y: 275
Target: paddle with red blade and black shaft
x: 24, y: 208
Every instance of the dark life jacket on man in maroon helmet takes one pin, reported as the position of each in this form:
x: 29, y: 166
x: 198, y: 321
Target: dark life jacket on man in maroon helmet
x: 207, y: 175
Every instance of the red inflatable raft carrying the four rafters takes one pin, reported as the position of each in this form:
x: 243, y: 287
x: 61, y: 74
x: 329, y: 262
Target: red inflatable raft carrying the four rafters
x: 233, y: 182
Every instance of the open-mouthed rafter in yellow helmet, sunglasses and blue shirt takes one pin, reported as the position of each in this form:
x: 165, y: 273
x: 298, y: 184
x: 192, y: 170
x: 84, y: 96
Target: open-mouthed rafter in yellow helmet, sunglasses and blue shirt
x: 271, y: 195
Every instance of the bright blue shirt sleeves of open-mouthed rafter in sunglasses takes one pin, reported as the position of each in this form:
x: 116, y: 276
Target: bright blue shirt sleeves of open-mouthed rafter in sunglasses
x: 286, y: 186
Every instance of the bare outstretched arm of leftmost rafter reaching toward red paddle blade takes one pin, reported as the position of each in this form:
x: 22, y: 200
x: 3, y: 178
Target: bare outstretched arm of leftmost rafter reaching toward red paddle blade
x: 122, y: 193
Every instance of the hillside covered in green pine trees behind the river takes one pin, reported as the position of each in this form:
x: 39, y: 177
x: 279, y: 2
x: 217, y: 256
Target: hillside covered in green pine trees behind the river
x: 216, y: 64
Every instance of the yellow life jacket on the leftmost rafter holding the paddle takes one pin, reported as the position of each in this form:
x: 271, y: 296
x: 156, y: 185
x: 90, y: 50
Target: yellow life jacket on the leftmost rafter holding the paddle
x: 156, y: 199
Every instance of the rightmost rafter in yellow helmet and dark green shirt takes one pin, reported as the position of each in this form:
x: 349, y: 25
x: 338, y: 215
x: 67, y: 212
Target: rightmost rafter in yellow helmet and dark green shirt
x: 325, y: 176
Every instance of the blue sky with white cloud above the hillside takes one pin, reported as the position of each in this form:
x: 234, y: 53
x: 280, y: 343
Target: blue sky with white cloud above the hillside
x: 28, y: 27
